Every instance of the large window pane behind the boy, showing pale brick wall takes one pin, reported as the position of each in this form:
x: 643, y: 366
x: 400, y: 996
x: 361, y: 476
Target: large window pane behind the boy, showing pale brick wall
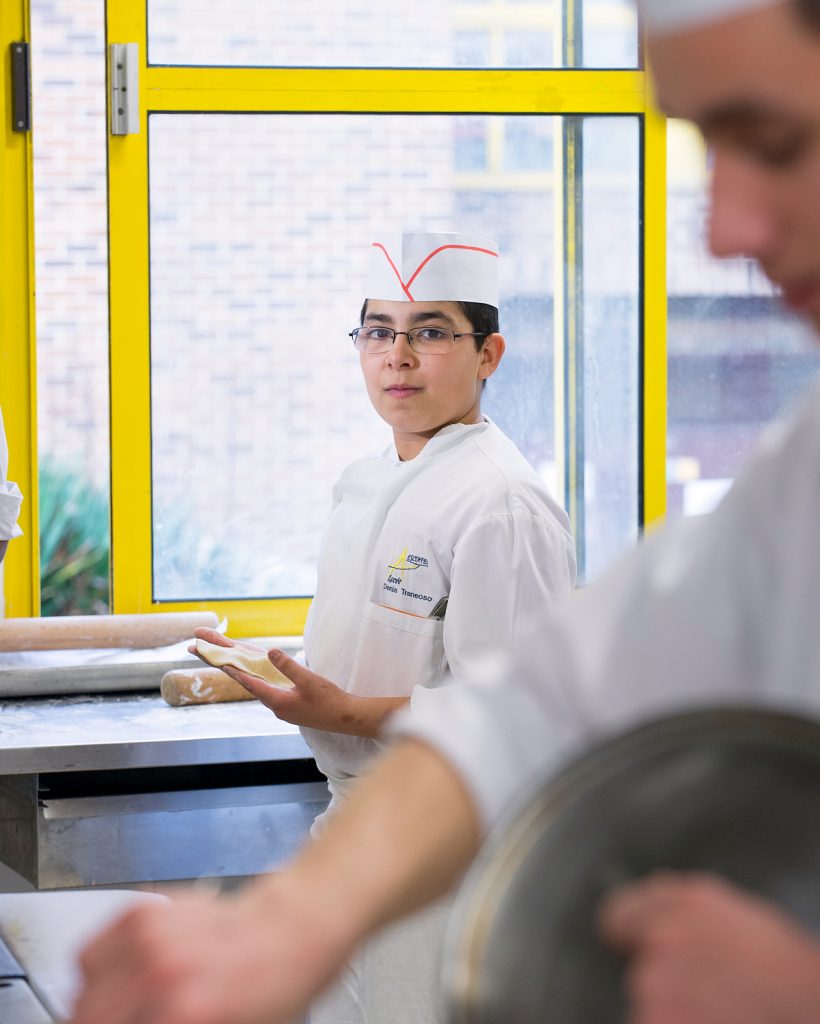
x: 261, y: 229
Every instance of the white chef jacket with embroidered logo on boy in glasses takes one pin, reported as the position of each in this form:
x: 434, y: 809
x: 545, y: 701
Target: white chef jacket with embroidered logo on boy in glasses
x: 468, y: 520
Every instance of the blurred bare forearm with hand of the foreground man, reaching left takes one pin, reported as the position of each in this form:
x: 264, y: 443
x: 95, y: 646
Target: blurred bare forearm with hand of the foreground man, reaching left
x: 405, y: 837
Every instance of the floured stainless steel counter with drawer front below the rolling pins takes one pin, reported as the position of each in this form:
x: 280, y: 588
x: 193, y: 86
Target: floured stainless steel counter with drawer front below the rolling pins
x: 123, y: 790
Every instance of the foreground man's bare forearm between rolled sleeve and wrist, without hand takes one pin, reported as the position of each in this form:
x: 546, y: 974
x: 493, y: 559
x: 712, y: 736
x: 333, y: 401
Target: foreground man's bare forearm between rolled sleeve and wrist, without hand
x: 404, y: 838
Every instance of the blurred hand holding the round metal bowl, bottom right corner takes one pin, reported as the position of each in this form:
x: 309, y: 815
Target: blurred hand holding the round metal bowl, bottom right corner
x: 702, y: 952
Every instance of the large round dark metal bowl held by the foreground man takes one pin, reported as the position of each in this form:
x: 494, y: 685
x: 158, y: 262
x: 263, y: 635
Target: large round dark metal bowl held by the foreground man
x: 731, y: 792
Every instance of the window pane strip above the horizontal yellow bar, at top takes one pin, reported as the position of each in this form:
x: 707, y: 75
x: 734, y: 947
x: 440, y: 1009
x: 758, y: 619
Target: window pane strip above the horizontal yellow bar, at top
x: 374, y: 34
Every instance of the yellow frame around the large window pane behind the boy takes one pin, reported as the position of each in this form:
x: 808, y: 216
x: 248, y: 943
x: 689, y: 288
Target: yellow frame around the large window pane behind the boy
x: 206, y: 90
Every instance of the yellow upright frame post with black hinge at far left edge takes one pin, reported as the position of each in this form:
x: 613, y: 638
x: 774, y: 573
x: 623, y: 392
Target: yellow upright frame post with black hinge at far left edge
x: 18, y: 363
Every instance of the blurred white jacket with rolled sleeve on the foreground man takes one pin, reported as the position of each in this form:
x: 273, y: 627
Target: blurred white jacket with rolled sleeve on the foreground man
x: 721, y: 610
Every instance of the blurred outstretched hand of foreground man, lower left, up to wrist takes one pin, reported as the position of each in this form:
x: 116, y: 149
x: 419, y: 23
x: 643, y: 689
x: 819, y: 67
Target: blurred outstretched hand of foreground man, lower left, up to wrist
x: 207, y: 960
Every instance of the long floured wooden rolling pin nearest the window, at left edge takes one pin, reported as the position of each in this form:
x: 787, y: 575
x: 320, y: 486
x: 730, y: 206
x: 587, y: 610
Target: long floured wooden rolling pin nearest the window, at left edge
x: 72, y: 632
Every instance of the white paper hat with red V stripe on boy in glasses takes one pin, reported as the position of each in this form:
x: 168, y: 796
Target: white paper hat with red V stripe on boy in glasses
x: 434, y: 267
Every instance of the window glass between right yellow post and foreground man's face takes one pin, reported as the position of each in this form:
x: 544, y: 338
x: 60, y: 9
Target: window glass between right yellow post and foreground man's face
x: 737, y: 357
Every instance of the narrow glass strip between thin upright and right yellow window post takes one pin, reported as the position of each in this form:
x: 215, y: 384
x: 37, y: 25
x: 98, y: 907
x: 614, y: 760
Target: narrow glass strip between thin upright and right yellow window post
x: 612, y: 248
